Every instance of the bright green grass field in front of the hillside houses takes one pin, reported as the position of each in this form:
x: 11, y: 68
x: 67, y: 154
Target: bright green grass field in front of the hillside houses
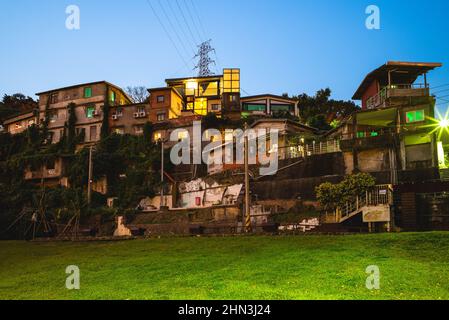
x: 412, y: 266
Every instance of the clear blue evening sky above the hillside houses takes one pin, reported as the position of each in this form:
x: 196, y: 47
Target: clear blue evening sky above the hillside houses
x: 280, y: 45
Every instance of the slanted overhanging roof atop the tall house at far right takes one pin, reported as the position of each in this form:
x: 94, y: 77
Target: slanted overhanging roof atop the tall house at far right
x: 401, y: 73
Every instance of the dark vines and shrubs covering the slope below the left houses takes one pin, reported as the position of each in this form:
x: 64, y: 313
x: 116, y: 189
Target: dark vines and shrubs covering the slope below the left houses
x: 130, y: 165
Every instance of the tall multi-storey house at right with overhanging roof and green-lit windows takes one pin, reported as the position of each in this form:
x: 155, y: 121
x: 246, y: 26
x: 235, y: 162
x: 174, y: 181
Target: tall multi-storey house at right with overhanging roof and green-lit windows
x: 389, y: 137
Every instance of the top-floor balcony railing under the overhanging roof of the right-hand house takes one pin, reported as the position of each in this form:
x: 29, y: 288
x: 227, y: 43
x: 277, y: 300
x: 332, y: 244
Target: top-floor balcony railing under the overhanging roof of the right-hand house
x: 397, y: 90
